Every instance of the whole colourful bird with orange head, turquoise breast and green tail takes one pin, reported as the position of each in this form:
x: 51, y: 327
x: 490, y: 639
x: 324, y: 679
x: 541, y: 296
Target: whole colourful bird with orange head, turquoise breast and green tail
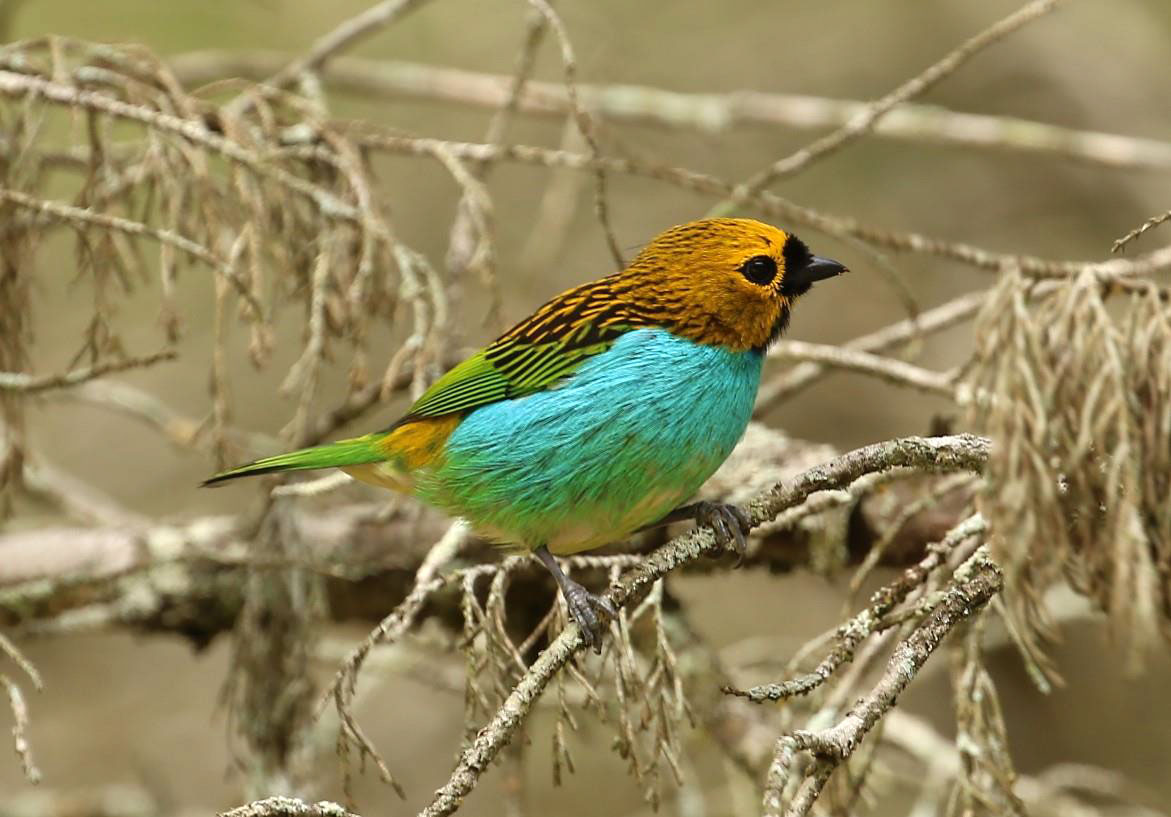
x: 605, y: 411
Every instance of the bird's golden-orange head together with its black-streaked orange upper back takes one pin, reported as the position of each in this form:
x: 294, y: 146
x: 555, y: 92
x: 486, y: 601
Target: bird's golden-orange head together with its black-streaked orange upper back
x: 728, y: 283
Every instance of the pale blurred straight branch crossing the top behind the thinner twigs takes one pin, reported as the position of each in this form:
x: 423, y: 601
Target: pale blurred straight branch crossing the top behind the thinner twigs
x: 707, y: 113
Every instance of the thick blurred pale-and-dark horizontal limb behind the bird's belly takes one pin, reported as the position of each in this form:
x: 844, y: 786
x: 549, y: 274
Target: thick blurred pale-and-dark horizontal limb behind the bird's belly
x: 186, y: 579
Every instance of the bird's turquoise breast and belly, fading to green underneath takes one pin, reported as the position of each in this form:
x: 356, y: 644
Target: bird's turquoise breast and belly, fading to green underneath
x: 633, y: 435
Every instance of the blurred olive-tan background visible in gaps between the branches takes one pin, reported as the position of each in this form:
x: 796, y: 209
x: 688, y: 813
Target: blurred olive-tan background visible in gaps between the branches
x: 143, y: 712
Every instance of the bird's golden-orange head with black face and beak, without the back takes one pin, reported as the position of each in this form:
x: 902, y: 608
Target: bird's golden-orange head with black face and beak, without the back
x: 728, y: 283
